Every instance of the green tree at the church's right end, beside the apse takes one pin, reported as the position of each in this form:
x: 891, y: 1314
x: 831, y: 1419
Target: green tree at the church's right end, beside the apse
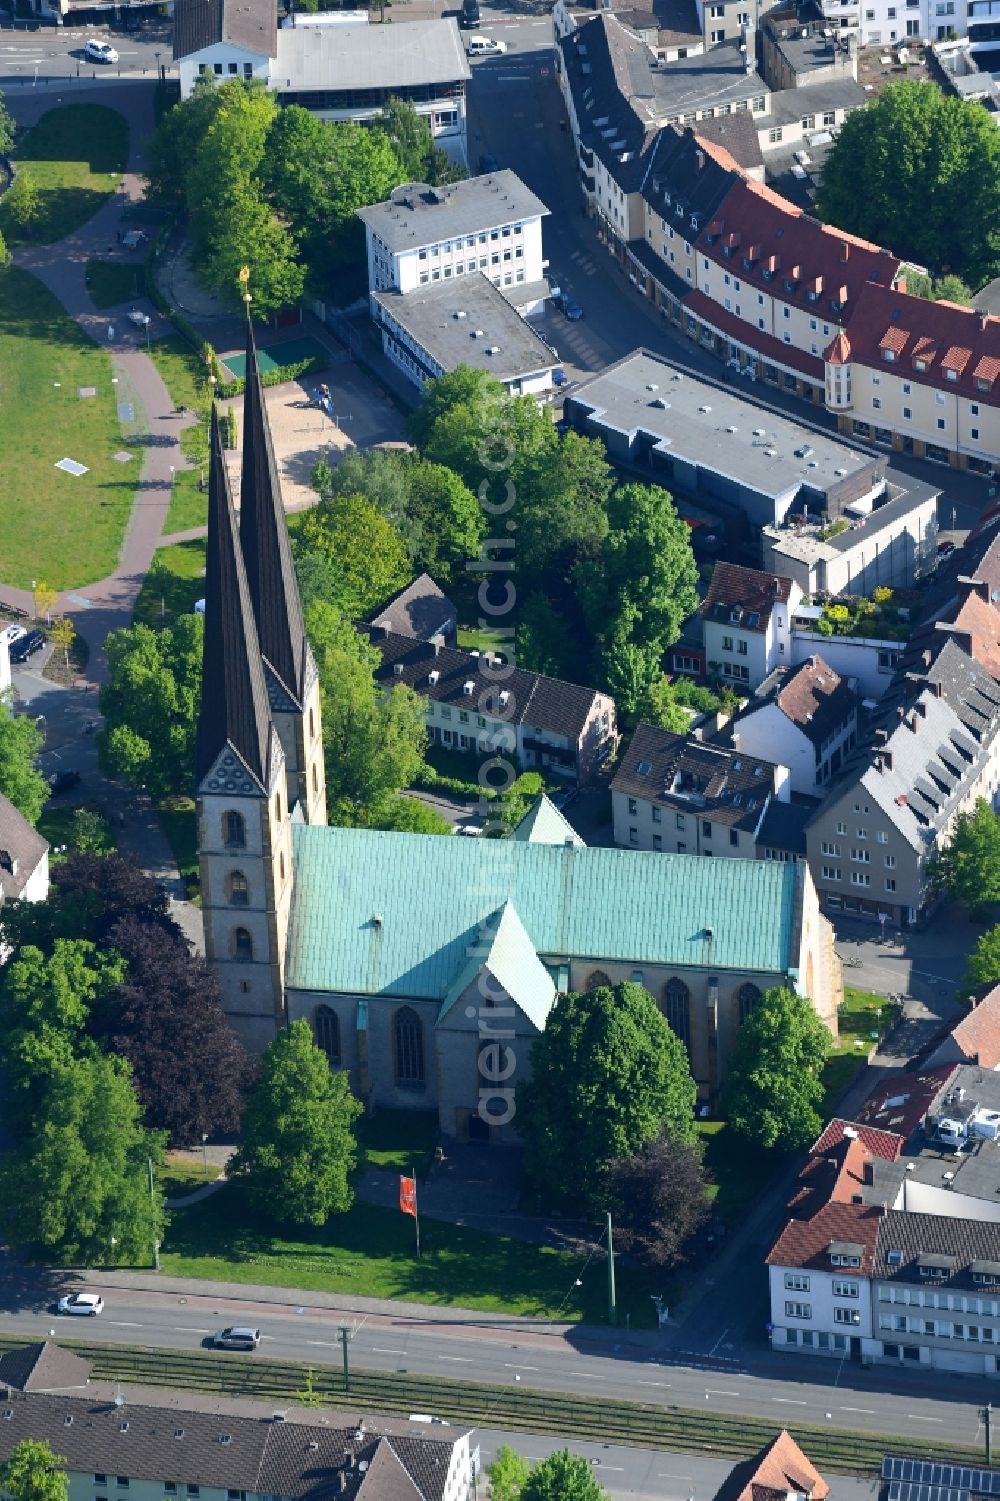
x: 774, y: 1087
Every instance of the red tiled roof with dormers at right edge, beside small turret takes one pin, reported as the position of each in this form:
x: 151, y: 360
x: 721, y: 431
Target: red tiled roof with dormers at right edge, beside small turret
x: 915, y: 328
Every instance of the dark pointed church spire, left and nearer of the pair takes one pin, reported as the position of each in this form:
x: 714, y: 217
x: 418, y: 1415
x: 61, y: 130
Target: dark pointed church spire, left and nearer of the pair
x: 235, y: 709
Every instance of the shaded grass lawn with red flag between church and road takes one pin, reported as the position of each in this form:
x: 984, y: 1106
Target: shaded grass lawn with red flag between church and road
x: 370, y: 1253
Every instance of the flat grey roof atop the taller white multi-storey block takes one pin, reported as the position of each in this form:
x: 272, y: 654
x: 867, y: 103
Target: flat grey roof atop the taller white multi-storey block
x: 418, y: 215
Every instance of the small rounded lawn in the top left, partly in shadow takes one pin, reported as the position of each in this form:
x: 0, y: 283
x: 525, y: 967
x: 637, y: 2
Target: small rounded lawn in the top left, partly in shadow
x: 76, y: 157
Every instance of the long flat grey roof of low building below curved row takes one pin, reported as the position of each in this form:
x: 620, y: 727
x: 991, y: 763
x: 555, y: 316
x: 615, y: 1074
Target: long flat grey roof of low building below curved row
x: 715, y: 430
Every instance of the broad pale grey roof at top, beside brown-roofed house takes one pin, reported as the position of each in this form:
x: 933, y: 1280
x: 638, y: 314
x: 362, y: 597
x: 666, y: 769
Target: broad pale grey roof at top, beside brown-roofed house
x: 370, y: 56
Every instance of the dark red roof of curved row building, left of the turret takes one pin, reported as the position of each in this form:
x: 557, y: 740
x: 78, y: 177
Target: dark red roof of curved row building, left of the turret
x: 782, y: 235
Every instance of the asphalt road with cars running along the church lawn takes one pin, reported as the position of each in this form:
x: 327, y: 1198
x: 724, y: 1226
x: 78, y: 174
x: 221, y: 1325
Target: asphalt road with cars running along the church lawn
x: 786, y: 1389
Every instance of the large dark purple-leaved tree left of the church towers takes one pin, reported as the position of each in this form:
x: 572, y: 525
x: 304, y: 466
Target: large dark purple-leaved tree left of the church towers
x: 166, y: 1018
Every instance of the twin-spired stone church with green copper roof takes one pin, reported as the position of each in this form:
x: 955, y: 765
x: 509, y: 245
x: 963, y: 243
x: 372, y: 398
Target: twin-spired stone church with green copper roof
x: 429, y: 964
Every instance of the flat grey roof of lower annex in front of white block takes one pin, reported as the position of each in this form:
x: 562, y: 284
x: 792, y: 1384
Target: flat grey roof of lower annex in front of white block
x: 444, y: 320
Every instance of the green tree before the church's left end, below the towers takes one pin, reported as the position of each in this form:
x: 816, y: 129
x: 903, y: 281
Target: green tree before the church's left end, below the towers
x: 298, y: 1149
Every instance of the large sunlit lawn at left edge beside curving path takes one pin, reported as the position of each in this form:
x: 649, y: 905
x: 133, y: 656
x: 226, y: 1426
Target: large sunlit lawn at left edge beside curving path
x: 67, y: 531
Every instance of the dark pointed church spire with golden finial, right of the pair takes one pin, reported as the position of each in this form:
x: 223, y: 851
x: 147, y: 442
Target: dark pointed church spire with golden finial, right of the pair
x: 267, y: 550
